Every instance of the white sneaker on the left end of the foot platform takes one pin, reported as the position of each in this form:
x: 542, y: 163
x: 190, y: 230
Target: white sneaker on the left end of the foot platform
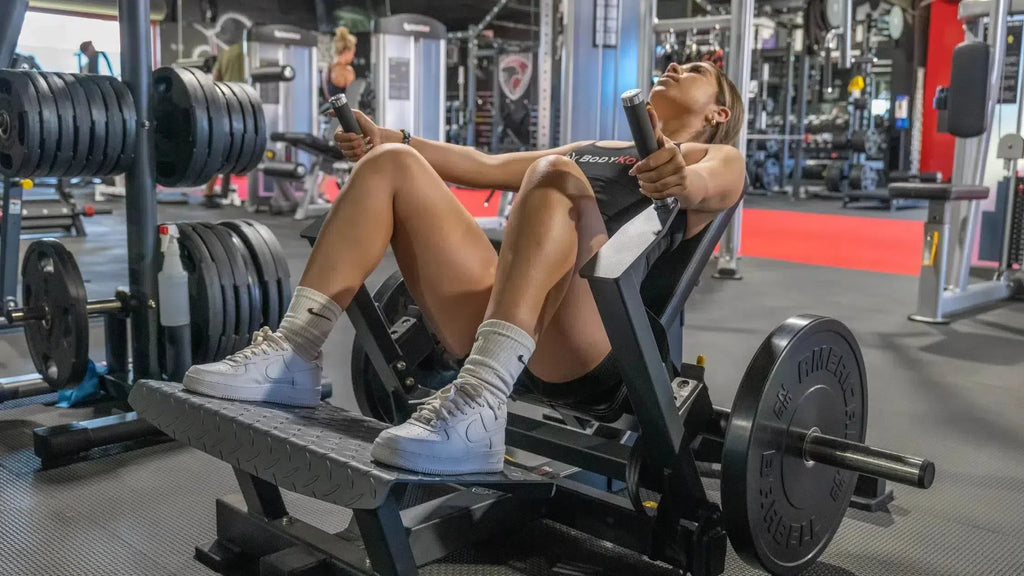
x: 268, y: 371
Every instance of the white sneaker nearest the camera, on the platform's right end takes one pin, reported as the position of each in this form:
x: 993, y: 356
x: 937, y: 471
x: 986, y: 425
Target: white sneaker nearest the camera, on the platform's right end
x: 459, y: 431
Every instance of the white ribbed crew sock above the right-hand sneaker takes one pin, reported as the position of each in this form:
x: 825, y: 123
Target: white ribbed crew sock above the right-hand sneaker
x: 500, y: 354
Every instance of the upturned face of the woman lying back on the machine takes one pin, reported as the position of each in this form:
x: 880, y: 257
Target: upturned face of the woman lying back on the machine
x: 690, y: 89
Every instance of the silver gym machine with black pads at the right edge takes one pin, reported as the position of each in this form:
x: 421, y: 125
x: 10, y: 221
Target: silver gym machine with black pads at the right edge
x: 967, y: 110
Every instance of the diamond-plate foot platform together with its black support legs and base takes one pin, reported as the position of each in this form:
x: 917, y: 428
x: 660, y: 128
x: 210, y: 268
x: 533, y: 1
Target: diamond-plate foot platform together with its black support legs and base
x: 324, y: 454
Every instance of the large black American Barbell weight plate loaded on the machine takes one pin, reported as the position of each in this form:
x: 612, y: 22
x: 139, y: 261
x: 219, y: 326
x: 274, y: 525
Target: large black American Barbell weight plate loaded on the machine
x: 780, y: 510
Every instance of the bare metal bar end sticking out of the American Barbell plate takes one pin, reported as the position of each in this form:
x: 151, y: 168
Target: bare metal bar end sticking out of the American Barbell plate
x: 869, y: 461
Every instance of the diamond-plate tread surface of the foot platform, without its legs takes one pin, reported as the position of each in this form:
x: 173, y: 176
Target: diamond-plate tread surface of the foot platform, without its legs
x: 322, y: 452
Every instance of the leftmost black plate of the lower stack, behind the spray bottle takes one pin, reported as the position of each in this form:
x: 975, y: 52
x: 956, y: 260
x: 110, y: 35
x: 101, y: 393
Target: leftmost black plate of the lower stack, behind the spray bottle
x: 206, y: 304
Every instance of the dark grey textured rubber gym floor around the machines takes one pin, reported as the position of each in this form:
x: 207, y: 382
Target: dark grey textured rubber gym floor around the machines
x: 953, y: 394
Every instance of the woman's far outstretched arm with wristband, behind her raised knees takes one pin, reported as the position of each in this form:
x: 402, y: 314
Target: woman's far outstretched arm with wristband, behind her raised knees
x: 471, y: 168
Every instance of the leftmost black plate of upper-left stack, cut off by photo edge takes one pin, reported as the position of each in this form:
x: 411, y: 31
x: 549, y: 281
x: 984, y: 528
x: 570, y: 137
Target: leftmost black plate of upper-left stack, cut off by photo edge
x: 21, y: 131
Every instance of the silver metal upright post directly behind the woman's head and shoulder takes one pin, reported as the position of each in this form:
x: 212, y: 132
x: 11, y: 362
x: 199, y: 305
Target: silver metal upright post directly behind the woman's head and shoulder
x: 741, y: 38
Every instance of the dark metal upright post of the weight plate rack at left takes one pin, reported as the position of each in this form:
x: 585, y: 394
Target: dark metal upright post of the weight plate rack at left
x: 141, y: 197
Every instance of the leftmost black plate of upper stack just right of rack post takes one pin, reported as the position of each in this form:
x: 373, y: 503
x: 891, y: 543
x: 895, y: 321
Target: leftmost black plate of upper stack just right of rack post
x: 183, y: 128
